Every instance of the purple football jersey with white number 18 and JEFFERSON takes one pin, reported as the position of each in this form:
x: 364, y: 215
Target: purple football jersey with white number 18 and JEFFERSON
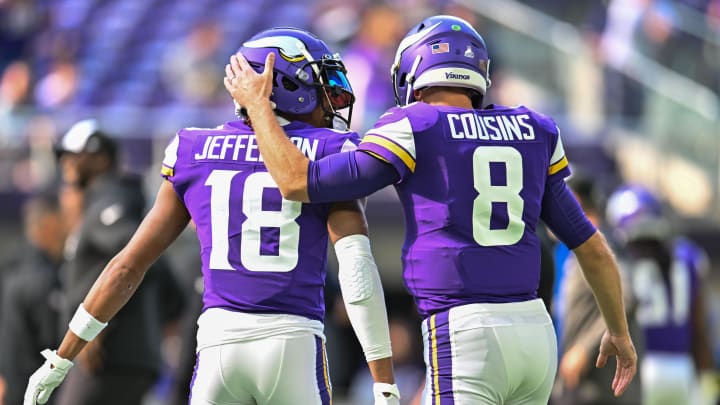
x: 260, y: 253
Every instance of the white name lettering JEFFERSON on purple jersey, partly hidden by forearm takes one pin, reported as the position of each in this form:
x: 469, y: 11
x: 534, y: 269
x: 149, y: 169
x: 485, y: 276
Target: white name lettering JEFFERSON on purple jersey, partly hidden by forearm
x: 244, y: 147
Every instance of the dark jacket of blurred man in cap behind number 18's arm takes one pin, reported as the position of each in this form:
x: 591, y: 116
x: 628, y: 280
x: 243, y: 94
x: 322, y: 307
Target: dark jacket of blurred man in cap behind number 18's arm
x: 114, y: 206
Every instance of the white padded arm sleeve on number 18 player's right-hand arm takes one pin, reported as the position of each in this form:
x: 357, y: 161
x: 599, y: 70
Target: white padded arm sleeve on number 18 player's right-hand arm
x: 363, y: 295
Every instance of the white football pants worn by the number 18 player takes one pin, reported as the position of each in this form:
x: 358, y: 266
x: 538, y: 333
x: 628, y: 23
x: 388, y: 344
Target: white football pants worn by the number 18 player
x: 258, y: 359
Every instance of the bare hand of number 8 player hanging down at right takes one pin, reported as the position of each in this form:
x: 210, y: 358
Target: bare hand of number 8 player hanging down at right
x: 626, y: 360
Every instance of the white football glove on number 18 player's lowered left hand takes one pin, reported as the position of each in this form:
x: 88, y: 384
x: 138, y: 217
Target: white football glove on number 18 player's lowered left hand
x: 46, y: 378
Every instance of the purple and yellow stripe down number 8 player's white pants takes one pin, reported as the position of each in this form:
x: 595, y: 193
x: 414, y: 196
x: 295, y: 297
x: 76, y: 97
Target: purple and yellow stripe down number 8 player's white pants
x: 440, y: 359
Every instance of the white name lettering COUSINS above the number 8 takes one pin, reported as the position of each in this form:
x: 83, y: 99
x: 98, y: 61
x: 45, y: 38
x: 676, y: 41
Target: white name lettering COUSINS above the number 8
x: 491, y: 127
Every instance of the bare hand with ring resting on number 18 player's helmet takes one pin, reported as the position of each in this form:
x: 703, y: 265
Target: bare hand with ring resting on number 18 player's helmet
x: 247, y: 86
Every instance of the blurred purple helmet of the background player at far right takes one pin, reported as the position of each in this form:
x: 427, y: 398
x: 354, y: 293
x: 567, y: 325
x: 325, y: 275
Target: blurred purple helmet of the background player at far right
x: 635, y: 213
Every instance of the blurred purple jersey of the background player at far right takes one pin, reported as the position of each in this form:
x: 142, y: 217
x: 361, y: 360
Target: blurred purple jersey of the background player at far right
x: 664, y: 304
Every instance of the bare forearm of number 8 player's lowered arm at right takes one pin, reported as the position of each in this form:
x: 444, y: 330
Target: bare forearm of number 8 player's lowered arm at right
x: 601, y: 272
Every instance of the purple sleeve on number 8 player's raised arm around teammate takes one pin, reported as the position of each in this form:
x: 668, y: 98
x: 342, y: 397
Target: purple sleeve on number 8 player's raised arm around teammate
x: 348, y: 176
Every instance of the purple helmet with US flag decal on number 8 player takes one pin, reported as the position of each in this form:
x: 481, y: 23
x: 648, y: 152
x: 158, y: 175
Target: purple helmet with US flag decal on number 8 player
x: 441, y: 51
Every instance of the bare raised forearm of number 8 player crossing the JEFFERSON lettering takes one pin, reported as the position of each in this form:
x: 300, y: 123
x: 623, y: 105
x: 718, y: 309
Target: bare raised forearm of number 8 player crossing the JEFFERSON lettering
x: 286, y: 164
